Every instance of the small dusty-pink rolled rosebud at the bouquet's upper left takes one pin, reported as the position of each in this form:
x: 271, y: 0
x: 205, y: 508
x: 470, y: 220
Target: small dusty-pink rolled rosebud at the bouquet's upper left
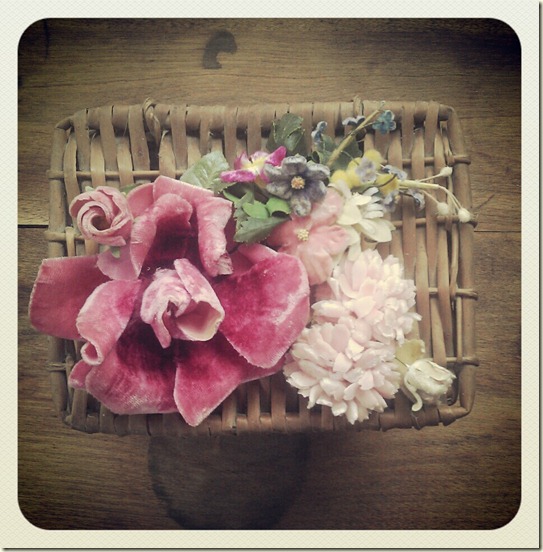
x: 103, y: 215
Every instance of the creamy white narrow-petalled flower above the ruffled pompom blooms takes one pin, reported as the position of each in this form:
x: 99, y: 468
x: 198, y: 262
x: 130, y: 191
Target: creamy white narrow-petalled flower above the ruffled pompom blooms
x: 362, y: 215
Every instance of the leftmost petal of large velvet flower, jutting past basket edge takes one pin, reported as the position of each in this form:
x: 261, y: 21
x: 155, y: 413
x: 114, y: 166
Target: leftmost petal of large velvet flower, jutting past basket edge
x: 61, y: 288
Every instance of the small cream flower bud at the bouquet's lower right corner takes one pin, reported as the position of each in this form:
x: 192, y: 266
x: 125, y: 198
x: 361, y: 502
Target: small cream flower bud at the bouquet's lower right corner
x: 423, y: 381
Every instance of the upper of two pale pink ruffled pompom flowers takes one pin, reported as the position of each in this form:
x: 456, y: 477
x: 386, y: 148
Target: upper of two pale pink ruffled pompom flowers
x: 372, y: 290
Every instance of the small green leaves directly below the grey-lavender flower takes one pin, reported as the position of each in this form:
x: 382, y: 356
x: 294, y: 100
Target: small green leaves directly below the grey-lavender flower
x: 256, y: 219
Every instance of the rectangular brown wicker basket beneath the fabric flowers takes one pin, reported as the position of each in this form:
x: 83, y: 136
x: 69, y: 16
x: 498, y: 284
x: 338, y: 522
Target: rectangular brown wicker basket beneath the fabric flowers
x: 121, y: 145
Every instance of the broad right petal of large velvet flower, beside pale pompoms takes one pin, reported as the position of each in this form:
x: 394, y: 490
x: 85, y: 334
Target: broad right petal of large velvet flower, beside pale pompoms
x: 266, y: 307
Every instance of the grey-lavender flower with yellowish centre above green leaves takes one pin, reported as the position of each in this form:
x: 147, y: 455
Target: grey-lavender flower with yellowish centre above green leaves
x: 299, y: 182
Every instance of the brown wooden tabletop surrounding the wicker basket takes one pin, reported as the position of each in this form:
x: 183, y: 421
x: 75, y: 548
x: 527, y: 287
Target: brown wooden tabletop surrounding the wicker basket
x: 464, y: 476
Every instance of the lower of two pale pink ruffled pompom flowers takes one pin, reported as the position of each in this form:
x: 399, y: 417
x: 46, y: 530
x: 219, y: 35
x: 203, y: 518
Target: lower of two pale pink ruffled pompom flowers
x: 331, y: 367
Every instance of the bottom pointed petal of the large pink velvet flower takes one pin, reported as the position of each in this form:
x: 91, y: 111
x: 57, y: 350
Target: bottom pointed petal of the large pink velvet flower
x: 207, y: 372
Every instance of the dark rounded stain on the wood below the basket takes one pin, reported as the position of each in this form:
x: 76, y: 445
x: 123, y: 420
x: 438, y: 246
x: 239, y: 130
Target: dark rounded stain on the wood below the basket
x: 228, y: 482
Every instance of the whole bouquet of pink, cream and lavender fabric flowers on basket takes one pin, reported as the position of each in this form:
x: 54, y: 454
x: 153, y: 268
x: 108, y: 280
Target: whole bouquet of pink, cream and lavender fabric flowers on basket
x: 231, y: 274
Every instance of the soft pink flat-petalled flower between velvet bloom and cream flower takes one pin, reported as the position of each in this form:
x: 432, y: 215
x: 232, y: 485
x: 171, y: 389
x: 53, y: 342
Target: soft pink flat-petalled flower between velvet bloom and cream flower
x: 314, y: 239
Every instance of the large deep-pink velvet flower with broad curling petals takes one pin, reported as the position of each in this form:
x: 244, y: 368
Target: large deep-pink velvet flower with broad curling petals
x: 171, y: 321
